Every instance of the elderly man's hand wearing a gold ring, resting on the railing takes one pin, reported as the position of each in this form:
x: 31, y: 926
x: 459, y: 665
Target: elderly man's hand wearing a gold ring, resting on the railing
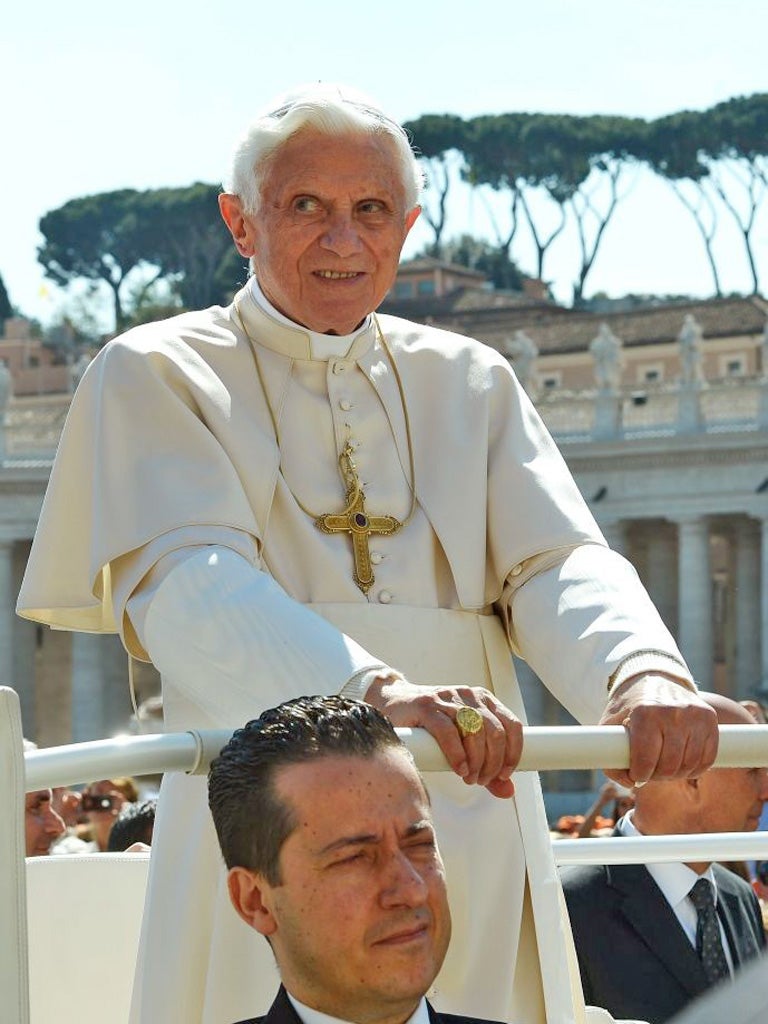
x: 487, y: 758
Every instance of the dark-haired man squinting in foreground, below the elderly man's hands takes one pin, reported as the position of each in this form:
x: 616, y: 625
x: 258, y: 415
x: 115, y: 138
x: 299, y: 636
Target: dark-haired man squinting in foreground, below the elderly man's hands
x: 327, y: 833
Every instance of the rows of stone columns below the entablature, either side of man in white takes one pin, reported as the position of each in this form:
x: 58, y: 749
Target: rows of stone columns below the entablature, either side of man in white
x: 707, y: 576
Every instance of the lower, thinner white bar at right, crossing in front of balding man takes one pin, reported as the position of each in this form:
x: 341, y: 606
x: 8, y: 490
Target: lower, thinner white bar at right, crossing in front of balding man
x: 662, y: 849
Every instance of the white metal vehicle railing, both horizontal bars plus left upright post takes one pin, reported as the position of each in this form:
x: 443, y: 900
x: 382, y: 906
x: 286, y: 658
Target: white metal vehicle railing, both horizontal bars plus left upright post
x: 545, y: 748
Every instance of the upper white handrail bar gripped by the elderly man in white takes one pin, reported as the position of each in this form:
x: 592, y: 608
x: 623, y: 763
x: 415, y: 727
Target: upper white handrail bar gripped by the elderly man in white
x: 545, y: 748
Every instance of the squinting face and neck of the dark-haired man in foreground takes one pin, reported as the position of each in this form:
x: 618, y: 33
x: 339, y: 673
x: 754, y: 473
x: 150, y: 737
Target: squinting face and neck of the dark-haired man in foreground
x: 360, y: 924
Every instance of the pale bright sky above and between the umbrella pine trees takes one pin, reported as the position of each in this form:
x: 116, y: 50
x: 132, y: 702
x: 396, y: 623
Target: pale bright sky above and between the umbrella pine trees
x: 98, y: 97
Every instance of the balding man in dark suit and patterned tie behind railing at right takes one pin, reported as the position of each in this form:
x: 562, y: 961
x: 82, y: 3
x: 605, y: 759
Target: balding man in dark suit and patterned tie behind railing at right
x: 648, y: 943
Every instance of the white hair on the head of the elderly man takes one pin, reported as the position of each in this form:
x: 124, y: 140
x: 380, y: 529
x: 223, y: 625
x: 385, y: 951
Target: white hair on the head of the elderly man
x: 331, y: 110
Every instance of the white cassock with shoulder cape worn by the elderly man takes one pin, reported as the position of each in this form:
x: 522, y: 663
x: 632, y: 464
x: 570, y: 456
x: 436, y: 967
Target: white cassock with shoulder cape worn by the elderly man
x: 169, y: 477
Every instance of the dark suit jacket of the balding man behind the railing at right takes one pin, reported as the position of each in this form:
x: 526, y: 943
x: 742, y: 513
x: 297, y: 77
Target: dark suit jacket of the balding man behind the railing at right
x: 635, y: 959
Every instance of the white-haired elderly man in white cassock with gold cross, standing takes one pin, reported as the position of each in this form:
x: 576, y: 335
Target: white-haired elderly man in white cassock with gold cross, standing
x: 292, y: 495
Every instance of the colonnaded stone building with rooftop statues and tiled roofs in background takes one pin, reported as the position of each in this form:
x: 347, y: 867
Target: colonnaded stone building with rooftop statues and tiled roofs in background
x: 661, y: 412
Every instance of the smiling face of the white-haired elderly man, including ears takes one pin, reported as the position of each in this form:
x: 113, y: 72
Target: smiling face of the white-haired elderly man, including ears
x: 328, y: 237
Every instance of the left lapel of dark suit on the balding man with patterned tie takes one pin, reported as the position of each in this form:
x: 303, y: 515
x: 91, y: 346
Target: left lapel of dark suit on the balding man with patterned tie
x: 649, y: 914
